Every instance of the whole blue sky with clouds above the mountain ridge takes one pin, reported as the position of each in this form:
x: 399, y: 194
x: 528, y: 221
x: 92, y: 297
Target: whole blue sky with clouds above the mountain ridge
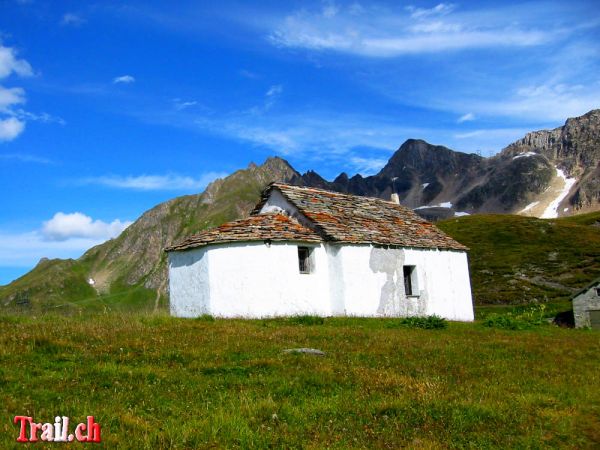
x: 109, y: 108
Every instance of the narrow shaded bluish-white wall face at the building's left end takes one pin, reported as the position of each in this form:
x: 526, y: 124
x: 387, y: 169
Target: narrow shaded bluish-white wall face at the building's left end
x: 189, y: 287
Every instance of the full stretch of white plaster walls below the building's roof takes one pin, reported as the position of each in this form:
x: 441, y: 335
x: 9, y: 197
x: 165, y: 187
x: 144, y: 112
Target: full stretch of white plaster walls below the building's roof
x: 256, y: 280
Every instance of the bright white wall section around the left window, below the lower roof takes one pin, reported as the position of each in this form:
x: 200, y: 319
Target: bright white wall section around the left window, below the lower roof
x: 256, y: 280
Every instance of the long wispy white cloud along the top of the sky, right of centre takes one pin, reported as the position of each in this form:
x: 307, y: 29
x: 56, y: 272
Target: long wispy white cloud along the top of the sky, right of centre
x: 384, y: 33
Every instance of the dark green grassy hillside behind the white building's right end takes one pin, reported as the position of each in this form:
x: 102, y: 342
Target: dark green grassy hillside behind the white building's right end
x: 516, y: 259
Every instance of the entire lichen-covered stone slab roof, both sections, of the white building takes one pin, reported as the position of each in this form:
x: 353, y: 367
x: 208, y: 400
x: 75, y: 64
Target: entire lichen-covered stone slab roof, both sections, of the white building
x: 332, y: 217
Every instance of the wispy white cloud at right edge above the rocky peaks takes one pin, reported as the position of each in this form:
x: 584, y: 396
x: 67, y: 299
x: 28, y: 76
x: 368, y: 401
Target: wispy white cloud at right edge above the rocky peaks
x: 540, y: 91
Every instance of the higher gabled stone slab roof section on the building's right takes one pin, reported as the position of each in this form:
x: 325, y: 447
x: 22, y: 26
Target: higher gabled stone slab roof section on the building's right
x: 362, y: 220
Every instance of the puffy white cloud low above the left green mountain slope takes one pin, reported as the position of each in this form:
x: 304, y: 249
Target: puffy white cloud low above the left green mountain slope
x: 77, y: 225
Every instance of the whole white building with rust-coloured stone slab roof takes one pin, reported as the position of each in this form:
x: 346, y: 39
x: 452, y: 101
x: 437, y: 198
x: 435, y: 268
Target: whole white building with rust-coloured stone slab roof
x: 310, y: 251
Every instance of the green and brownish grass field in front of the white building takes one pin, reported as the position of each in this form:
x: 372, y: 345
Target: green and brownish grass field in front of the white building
x: 155, y: 382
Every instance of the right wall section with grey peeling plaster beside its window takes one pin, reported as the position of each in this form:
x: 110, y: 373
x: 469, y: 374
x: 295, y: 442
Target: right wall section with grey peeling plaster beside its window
x: 373, y: 282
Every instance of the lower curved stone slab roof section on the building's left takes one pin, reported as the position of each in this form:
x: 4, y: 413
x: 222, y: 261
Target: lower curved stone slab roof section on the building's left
x: 274, y: 227
